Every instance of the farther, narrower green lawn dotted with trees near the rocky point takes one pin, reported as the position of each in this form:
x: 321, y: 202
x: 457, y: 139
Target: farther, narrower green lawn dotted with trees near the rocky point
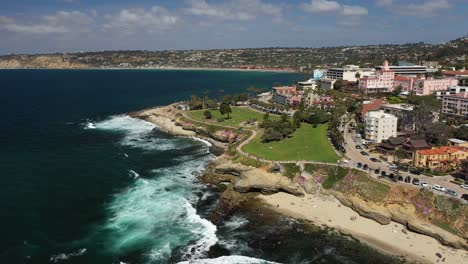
x: 238, y: 115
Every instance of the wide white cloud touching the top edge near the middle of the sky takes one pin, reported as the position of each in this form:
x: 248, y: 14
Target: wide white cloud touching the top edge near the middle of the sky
x: 234, y: 10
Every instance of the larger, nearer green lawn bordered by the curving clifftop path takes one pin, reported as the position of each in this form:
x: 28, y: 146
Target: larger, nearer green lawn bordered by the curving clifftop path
x: 307, y: 143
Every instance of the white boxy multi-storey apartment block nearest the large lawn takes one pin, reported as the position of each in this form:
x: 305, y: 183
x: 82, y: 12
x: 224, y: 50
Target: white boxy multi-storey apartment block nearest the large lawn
x: 380, y: 126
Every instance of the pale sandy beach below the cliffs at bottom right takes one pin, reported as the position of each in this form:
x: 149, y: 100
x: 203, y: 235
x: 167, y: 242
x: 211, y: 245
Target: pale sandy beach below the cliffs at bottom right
x: 391, y: 239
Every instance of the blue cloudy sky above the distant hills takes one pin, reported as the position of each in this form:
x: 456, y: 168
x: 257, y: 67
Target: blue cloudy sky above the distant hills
x: 46, y: 26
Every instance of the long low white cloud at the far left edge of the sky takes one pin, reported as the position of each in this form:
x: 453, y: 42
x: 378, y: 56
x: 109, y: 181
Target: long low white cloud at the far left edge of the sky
x: 58, y: 23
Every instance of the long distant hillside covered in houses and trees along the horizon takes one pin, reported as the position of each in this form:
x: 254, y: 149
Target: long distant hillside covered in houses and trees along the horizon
x: 450, y: 54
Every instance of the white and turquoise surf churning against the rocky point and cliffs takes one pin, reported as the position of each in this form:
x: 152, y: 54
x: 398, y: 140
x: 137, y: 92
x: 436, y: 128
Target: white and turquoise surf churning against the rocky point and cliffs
x: 156, y: 213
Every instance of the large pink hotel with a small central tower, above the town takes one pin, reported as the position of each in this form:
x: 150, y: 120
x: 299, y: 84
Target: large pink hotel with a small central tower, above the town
x: 385, y: 81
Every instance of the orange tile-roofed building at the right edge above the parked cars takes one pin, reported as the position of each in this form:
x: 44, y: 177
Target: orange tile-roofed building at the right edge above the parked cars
x: 441, y: 158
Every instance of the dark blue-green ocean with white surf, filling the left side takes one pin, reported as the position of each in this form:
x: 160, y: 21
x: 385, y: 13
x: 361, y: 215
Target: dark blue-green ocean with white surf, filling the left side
x: 82, y: 182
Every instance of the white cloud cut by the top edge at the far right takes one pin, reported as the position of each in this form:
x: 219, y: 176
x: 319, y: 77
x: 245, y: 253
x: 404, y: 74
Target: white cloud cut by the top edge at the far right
x: 424, y: 9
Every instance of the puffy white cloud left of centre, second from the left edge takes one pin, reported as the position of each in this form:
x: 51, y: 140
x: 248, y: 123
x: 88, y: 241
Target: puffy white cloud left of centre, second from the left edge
x: 134, y: 19
